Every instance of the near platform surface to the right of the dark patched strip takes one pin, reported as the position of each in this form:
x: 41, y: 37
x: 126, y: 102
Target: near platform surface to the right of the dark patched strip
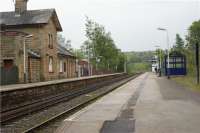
x: 166, y: 107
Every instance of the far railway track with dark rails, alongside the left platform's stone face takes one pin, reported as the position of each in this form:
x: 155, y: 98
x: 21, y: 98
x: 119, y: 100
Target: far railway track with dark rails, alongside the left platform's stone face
x: 17, y: 112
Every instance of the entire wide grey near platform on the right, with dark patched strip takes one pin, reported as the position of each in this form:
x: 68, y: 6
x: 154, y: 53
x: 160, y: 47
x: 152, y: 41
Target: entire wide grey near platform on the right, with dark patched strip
x: 147, y: 104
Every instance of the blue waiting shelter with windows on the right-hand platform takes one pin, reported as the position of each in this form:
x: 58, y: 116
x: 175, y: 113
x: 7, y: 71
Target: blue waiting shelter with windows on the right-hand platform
x: 177, y: 64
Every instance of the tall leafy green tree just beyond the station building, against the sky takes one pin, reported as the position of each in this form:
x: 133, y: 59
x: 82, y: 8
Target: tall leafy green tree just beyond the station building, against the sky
x: 100, y: 48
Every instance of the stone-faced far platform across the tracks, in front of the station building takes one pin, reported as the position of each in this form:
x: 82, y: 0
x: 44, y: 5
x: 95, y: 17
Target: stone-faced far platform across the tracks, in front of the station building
x: 24, y: 94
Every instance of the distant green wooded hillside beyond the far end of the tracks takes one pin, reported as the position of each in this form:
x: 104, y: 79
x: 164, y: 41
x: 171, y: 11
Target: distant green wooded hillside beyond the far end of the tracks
x: 139, y: 61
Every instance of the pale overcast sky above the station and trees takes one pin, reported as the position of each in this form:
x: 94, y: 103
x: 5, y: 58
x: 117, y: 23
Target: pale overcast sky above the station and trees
x: 132, y: 23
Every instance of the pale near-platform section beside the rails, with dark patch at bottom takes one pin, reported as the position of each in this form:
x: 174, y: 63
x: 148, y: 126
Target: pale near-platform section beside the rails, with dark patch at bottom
x: 102, y: 116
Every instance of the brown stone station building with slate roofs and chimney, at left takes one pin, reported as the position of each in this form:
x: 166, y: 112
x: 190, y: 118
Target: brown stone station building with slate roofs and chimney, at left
x: 45, y: 58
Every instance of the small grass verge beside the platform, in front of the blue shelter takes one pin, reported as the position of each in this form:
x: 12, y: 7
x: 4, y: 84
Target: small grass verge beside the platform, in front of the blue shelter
x: 188, y: 81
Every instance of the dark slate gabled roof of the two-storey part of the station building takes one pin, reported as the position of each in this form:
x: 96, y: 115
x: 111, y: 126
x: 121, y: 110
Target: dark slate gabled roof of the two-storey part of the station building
x: 30, y: 17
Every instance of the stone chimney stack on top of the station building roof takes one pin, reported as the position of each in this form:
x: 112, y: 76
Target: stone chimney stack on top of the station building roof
x: 20, y: 6
